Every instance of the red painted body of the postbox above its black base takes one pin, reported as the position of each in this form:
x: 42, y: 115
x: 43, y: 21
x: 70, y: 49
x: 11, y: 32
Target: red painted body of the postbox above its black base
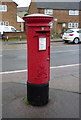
x: 38, y: 61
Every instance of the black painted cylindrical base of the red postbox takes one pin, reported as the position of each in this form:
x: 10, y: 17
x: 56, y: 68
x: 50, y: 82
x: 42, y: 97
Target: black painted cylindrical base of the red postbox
x: 37, y: 94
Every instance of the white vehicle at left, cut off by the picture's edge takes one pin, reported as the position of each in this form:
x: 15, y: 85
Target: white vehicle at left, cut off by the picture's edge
x: 4, y: 28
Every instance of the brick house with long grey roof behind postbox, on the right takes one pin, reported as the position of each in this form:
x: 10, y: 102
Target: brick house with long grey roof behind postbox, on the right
x: 65, y: 14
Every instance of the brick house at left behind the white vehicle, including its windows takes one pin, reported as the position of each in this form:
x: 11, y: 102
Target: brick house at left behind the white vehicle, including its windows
x: 8, y: 14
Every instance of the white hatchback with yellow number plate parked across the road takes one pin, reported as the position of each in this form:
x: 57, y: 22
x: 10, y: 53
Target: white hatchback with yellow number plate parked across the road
x: 72, y: 35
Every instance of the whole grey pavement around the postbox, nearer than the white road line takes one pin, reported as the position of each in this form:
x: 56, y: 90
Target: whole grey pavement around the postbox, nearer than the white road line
x: 63, y: 97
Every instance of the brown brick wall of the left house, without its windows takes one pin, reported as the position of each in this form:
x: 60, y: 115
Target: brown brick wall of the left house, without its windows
x: 10, y: 15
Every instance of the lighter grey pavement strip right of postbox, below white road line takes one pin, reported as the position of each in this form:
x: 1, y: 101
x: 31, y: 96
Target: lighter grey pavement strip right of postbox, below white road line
x: 65, y: 79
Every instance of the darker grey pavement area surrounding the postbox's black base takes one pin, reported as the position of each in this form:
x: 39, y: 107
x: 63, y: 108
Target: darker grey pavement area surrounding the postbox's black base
x: 61, y: 104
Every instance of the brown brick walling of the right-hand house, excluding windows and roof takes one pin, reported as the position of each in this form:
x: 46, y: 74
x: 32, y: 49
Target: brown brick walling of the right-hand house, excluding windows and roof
x: 61, y: 15
